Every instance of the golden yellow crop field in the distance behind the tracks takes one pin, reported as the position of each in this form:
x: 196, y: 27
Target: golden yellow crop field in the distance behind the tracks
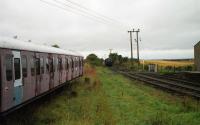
x: 169, y: 63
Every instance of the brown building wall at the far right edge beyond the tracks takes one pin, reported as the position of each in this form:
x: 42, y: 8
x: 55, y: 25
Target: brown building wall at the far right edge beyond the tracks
x: 197, y: 56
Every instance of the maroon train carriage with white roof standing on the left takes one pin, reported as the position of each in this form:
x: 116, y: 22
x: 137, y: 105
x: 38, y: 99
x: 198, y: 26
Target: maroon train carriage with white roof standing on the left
x: 29, y: 71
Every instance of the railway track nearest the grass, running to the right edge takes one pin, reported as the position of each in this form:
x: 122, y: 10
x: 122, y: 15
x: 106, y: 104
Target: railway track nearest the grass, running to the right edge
x: 167, y: 83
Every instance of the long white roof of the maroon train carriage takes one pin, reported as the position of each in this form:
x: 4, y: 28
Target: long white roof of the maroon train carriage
x: 11, y: 43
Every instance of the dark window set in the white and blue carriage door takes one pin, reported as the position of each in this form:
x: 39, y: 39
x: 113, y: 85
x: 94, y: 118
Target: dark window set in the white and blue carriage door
x: 17, y: 68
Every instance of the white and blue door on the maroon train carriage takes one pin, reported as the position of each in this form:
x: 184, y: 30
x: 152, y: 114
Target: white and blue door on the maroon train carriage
x: 18, y: 90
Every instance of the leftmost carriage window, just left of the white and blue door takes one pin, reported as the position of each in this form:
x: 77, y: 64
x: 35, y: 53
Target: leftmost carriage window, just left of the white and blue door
x: 8, y: 62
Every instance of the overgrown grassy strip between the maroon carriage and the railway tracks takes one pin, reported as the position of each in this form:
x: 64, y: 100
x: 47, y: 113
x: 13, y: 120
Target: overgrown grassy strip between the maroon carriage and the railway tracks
x: 102, y: 97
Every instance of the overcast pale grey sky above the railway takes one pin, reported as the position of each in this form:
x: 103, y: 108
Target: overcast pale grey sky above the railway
x: 169, y: 29
